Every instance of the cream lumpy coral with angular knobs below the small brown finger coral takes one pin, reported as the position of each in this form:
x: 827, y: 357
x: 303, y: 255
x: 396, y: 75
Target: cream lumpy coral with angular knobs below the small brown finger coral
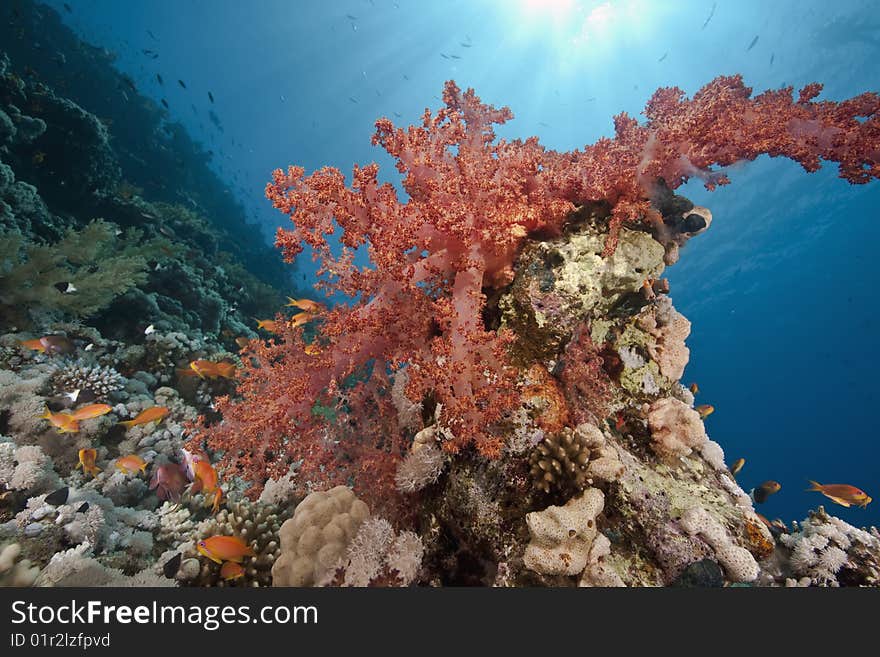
x: 562, y: 535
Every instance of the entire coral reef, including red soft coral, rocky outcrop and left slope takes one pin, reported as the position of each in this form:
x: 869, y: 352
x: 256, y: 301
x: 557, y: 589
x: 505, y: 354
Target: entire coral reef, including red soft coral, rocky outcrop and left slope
x: 498, y: 404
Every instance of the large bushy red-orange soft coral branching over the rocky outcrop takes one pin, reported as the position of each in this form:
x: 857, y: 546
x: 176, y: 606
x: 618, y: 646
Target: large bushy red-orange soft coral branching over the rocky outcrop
x: 473, y: 202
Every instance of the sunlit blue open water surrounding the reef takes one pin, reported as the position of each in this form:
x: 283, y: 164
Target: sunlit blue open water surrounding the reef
x: 781, y: 290
